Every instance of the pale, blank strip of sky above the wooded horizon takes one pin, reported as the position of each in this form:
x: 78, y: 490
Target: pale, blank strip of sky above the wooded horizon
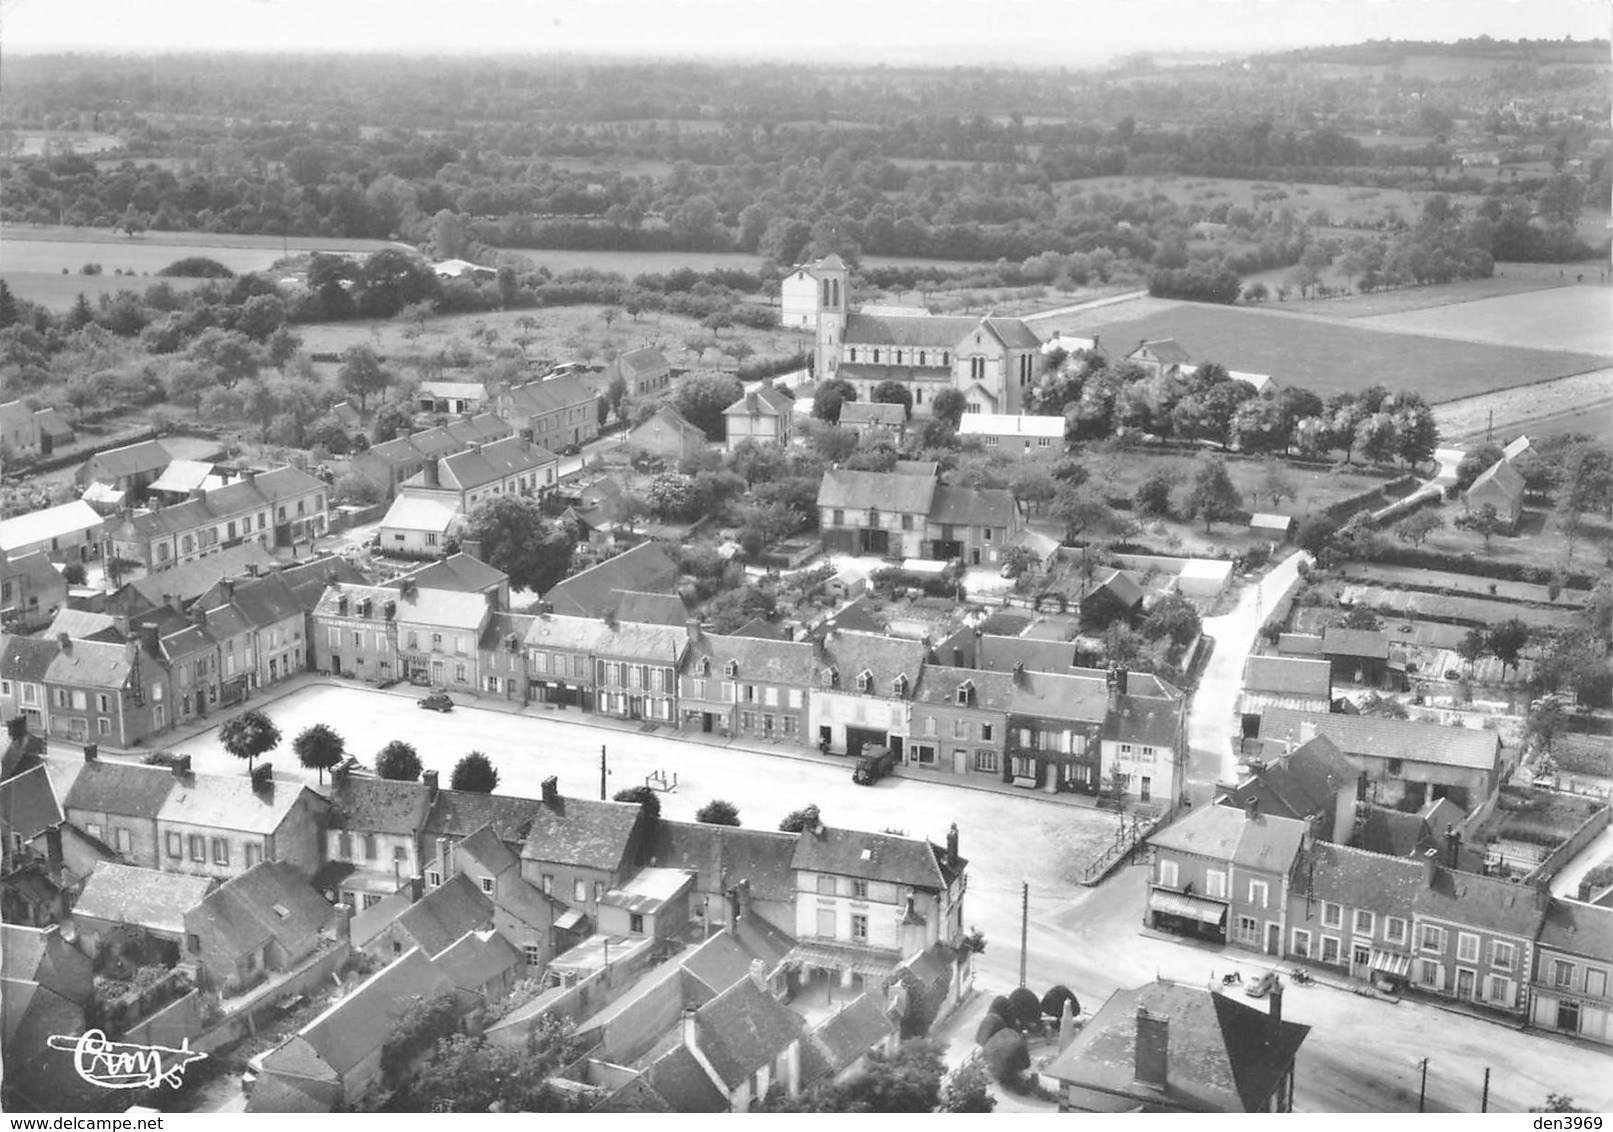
x: 856, y: 31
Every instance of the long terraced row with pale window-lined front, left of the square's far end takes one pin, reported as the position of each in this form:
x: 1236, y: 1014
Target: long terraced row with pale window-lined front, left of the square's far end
x: 277, y: 509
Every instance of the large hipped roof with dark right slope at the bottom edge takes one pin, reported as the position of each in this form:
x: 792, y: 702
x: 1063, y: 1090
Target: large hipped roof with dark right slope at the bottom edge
x: 1223, y: 1055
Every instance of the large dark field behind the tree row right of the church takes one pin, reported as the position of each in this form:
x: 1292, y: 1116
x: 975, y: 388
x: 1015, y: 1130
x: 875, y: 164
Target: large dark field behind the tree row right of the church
x: 1330, y: 357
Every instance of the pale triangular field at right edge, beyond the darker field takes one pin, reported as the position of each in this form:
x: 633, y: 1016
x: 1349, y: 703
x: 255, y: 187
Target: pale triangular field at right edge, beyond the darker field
x: 1564, y: 318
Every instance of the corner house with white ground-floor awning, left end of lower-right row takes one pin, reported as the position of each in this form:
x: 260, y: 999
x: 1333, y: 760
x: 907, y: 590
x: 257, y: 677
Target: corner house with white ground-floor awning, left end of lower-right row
x: 1223, y: 875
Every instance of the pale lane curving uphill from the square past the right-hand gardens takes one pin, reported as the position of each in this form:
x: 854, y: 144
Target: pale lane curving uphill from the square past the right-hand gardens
x: 1212, y: 722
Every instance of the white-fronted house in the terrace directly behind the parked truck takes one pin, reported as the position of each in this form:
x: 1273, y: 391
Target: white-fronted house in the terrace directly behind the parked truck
x: 864, y: 688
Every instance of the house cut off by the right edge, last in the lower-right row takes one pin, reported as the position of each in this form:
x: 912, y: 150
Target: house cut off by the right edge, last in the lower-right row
x: 1573, y: 957
